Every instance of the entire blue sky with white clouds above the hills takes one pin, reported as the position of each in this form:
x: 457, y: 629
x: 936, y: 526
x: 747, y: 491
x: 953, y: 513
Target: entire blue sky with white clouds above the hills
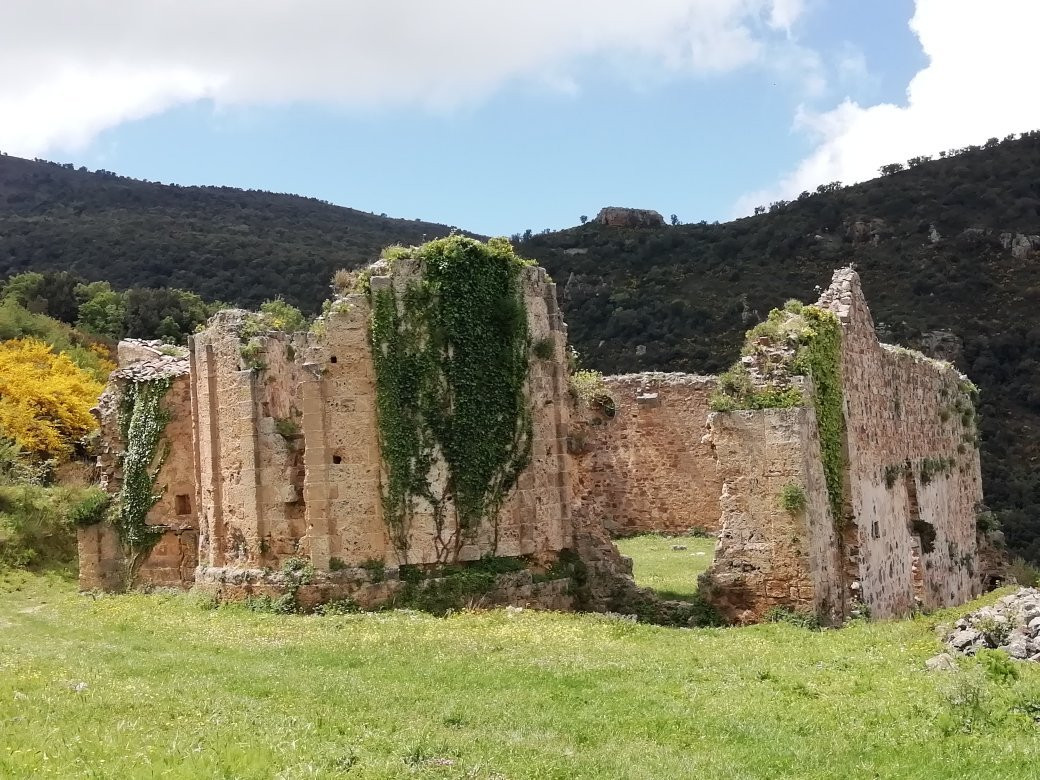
x: 503, y: 117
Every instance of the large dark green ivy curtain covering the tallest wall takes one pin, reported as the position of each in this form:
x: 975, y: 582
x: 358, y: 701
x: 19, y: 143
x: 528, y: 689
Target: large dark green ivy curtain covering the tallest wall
x: 452, y: 358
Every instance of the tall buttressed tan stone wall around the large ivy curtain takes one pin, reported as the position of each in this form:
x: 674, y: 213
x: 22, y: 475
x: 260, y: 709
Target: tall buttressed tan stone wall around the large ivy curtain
x: 289, y: 453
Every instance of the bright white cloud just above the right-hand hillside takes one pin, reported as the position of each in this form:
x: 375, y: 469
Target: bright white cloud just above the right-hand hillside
x: 978, y: 85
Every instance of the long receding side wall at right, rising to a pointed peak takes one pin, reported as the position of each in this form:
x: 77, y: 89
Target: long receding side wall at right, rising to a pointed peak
x: 906, y: 415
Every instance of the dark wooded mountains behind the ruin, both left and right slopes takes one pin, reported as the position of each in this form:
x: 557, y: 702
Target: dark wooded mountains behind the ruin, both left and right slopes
x: 949, y: 253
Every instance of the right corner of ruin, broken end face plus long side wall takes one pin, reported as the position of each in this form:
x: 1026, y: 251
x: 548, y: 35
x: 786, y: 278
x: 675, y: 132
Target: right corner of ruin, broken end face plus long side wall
x: 906, y: 535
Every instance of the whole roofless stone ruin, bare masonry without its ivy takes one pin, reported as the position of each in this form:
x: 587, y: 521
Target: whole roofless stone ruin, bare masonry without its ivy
x: 275, y: 461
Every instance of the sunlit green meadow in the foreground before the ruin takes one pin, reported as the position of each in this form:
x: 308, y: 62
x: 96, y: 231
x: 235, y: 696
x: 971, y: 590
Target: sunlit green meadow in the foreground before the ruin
x: 167, y: 687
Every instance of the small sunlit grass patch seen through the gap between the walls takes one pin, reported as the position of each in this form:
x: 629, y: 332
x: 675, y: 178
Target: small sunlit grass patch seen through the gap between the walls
x: 672, y: 574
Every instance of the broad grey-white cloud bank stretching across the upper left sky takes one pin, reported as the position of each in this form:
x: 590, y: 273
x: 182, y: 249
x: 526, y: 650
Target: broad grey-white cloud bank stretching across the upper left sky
x: 70, y: 69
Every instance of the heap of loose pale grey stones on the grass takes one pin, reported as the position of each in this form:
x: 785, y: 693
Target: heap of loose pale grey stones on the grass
x: 1012, y: 625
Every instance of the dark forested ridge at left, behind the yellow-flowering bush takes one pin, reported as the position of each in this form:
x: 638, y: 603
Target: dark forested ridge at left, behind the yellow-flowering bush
x: 230, y: 245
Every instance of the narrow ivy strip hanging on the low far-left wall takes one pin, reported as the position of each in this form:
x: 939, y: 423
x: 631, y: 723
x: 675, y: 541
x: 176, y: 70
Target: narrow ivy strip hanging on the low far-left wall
x: 142, y: 422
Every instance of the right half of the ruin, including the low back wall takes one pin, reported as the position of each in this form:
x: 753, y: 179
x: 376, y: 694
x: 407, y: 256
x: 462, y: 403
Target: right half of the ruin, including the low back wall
x: 908, y: 530
